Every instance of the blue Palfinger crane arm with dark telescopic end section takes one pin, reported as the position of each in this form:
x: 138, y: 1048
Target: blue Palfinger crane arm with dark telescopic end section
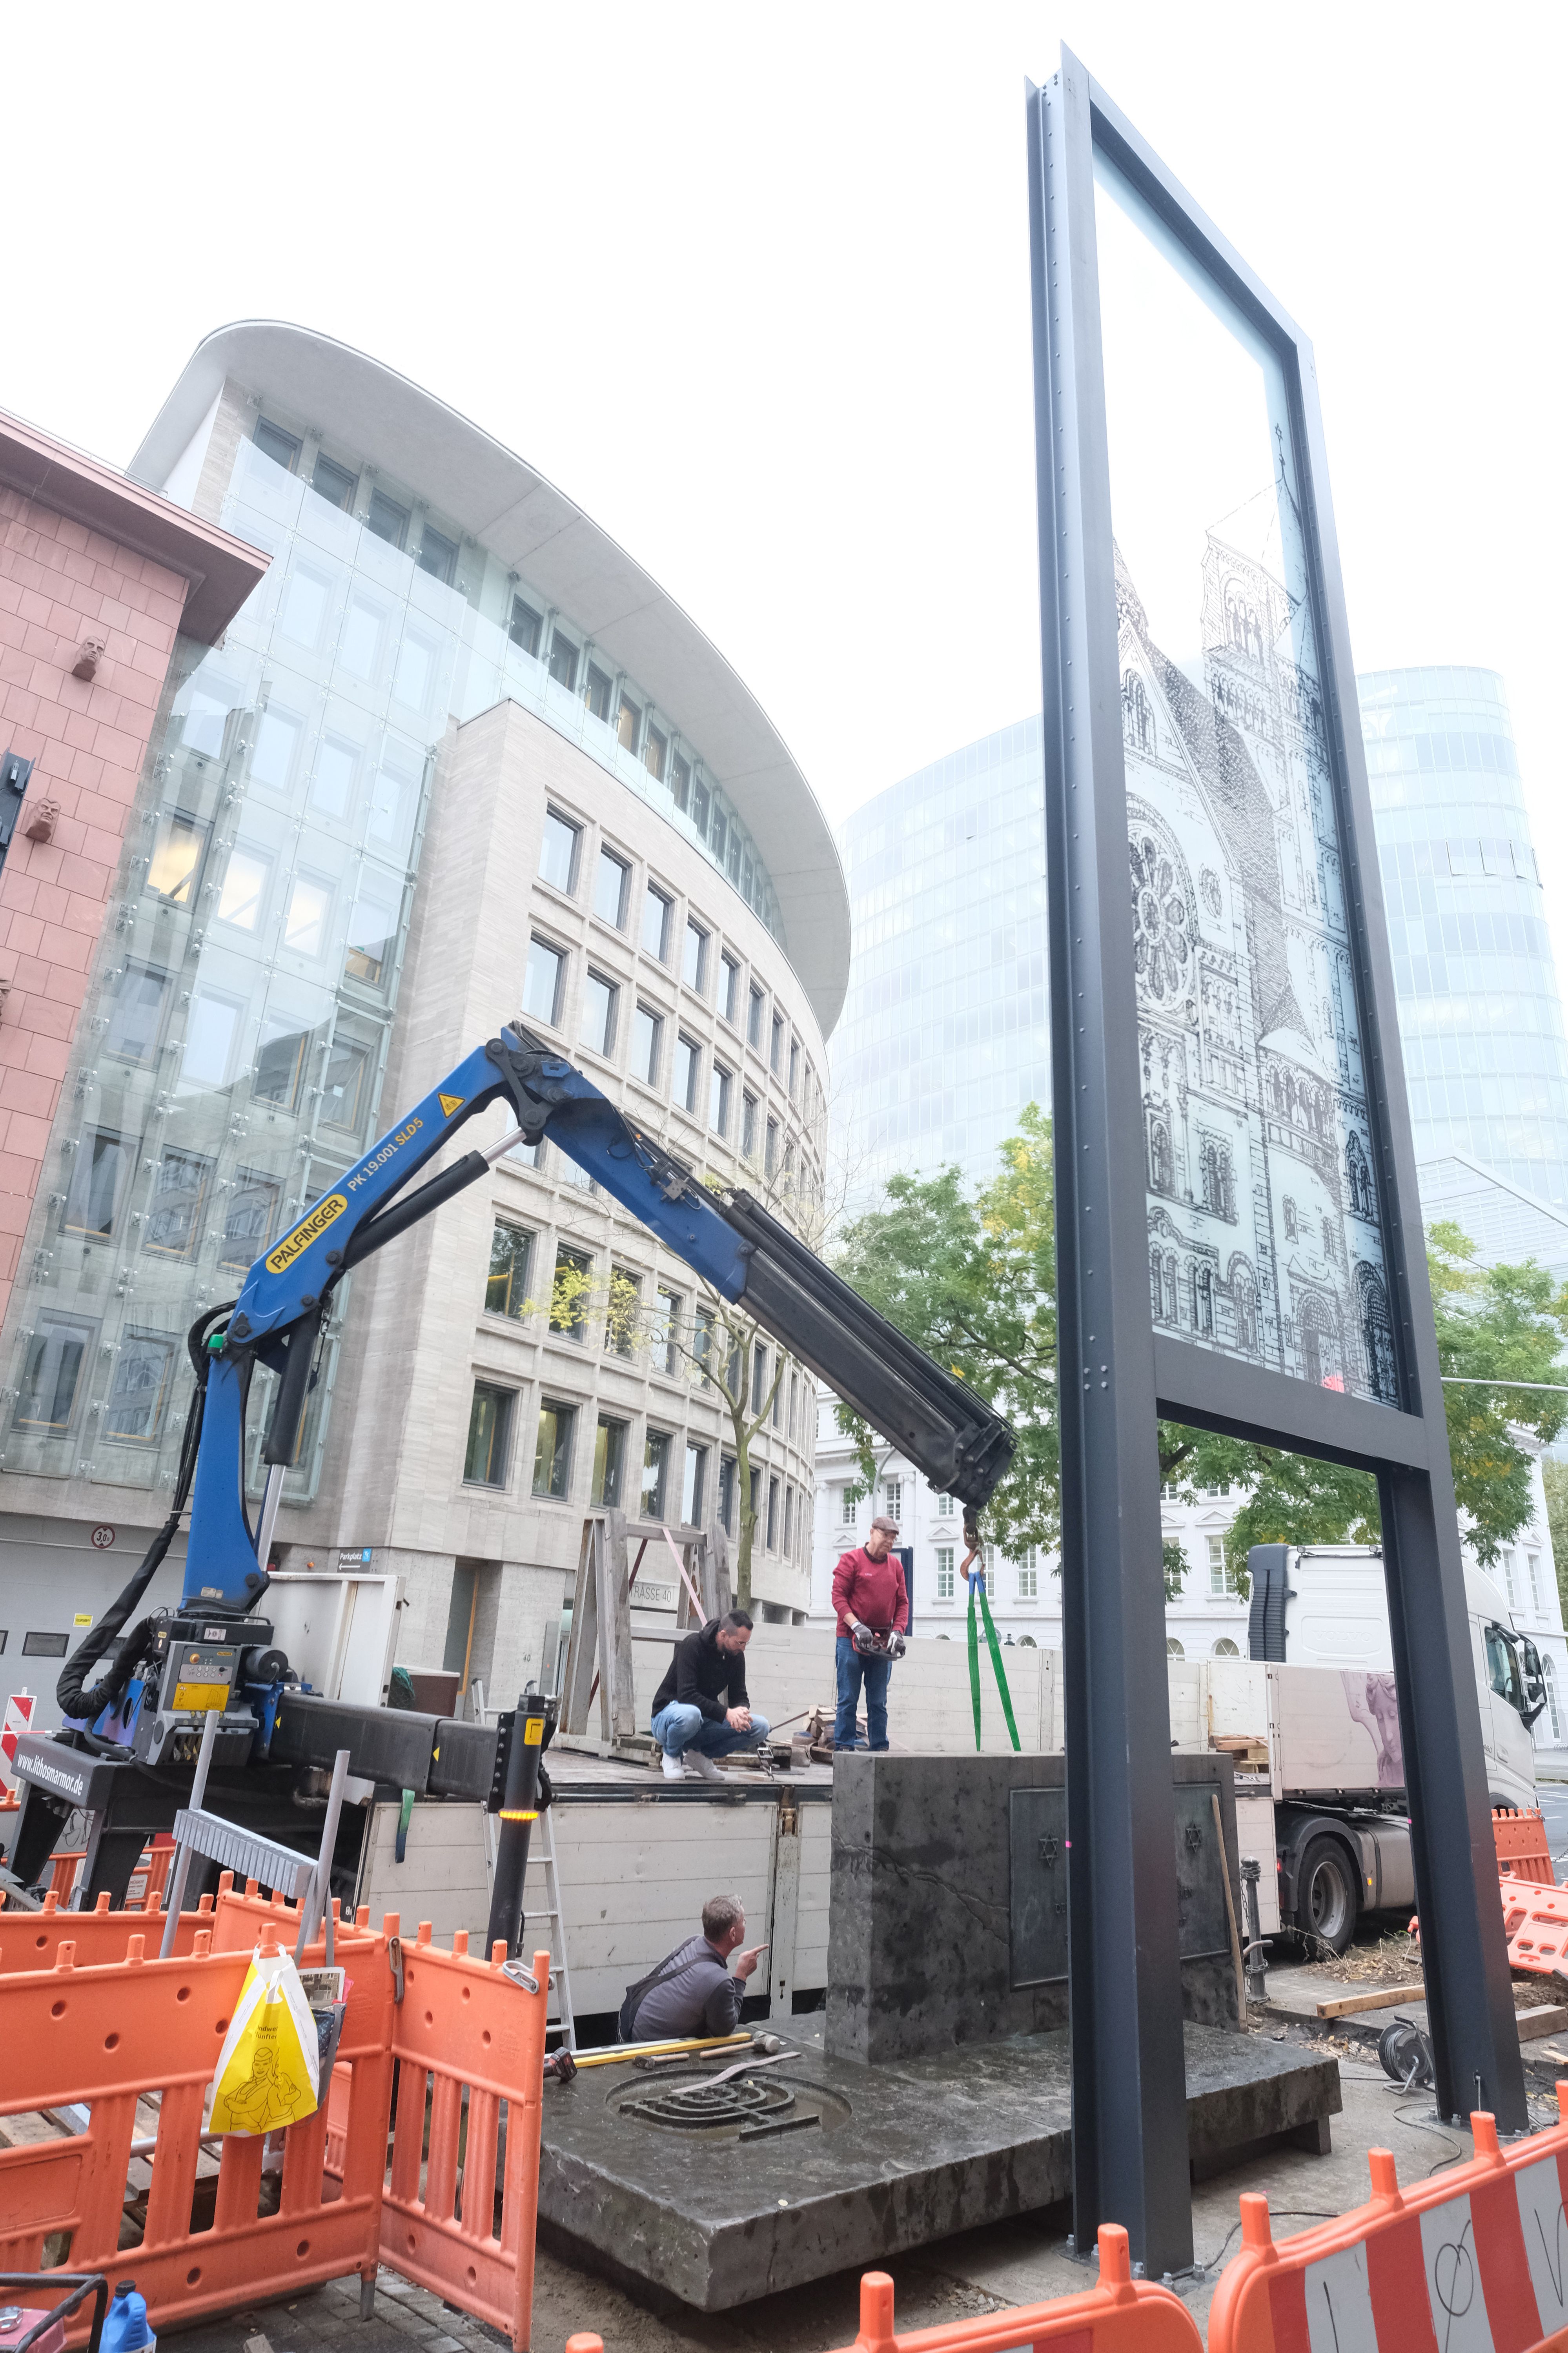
x: 726, y: 1239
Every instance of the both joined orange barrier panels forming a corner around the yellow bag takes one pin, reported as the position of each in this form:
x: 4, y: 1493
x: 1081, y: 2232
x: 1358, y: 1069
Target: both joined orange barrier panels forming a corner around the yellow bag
x: 131, y: 2044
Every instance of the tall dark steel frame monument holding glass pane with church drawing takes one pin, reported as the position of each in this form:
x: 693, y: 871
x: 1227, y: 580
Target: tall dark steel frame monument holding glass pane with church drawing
x: 1240, y: 1237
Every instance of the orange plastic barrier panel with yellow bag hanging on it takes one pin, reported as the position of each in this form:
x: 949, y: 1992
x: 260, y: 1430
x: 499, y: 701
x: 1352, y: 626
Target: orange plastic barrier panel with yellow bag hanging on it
x: 107, y: 2037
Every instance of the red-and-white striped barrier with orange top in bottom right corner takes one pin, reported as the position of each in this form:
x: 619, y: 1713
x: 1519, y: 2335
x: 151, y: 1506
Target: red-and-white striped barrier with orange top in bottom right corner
x: 1466, y: 2260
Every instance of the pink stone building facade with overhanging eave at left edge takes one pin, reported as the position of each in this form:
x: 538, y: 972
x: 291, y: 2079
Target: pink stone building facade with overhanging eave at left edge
x: 98, y: 585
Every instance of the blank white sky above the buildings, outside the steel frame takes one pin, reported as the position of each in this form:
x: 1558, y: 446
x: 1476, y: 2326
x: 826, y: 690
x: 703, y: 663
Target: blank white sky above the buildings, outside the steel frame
x: 752, y: 288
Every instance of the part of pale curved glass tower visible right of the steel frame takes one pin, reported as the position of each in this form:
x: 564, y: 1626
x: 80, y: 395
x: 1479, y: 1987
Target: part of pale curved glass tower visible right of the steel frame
x: 1480, y: 1008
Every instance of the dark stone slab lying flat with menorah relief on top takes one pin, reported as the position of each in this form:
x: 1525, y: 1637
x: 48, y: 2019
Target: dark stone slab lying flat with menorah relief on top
x: 832, y: 2164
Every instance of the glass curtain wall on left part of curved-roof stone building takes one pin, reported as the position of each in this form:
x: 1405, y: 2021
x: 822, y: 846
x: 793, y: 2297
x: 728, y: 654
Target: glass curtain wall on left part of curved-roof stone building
x: 232, y: 1046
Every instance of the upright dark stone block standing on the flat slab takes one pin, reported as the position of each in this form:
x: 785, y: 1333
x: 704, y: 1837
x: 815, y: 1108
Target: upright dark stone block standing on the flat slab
x: 950, y: 1900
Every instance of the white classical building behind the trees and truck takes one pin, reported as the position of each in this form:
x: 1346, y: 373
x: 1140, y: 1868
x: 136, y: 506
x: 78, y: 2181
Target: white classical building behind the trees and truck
x: 1207, y: 1620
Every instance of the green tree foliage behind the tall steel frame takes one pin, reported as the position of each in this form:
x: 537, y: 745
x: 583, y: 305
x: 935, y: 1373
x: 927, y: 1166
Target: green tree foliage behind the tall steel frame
x: 971, y: 1279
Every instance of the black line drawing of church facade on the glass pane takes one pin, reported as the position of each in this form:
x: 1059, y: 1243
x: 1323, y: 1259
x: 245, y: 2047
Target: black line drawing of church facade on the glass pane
x: 1263, y: 1208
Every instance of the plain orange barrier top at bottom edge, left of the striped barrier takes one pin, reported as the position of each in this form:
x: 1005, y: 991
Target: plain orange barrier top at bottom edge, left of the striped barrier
x: 1119, y: 2317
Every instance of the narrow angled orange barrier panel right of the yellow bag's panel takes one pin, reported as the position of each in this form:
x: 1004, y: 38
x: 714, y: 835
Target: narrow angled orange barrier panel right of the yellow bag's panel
x: 465, y: 2022
